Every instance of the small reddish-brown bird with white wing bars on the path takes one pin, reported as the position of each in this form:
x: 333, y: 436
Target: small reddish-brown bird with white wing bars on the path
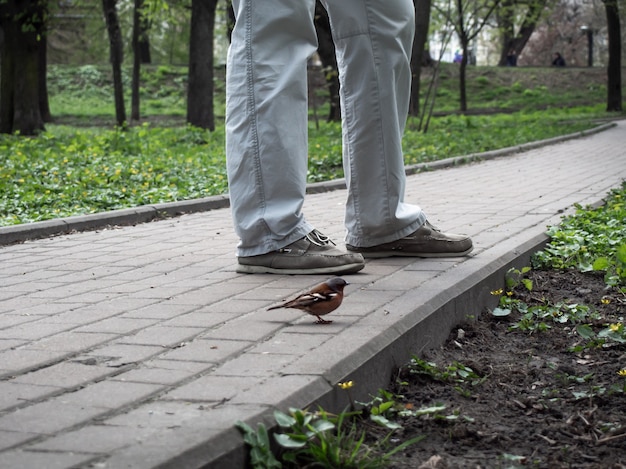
x: 321, y: 300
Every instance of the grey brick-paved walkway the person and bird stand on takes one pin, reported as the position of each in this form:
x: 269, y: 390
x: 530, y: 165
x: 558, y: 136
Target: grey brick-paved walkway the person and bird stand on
x: 140, y: 346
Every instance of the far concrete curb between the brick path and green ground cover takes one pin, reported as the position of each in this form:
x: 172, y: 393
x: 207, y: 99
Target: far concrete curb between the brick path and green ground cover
x: 146, y: 213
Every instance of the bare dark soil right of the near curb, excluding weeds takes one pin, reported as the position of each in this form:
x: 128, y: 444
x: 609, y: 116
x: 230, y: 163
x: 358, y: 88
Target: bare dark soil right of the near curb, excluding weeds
x: 540, y: 404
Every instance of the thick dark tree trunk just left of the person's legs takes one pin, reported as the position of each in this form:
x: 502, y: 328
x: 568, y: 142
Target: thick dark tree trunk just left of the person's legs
x: 200, y: 92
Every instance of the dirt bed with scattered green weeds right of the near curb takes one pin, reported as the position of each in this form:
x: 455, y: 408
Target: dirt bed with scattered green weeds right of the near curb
x: 552, y: 359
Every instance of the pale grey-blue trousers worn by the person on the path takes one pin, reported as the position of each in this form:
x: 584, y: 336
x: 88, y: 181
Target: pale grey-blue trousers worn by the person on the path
x: 266, y: 118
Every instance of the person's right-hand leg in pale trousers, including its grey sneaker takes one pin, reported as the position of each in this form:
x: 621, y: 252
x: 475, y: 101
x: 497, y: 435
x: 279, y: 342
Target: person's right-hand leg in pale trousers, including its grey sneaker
x: 373, y: 39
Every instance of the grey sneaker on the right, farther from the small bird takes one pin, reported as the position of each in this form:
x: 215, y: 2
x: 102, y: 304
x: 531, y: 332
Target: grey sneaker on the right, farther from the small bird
x: 427, y: 241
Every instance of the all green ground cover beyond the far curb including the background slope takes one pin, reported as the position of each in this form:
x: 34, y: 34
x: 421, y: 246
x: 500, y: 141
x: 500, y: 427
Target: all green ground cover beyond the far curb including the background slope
x: 82, y: 165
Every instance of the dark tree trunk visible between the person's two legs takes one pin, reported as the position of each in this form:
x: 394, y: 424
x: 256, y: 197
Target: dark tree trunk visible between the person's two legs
x: 326, y: 51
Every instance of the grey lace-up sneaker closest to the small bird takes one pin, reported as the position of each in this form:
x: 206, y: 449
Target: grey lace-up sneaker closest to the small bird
x: 313, y: 254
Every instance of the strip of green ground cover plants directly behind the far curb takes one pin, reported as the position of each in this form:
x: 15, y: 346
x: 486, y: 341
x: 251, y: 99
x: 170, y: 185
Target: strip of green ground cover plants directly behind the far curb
x: 71, y: 171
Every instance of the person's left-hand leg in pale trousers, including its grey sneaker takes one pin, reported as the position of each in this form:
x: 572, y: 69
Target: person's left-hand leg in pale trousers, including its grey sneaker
x: 266, y: 141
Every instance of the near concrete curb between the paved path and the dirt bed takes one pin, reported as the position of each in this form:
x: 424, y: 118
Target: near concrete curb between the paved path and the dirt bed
x: 428, y: 317
